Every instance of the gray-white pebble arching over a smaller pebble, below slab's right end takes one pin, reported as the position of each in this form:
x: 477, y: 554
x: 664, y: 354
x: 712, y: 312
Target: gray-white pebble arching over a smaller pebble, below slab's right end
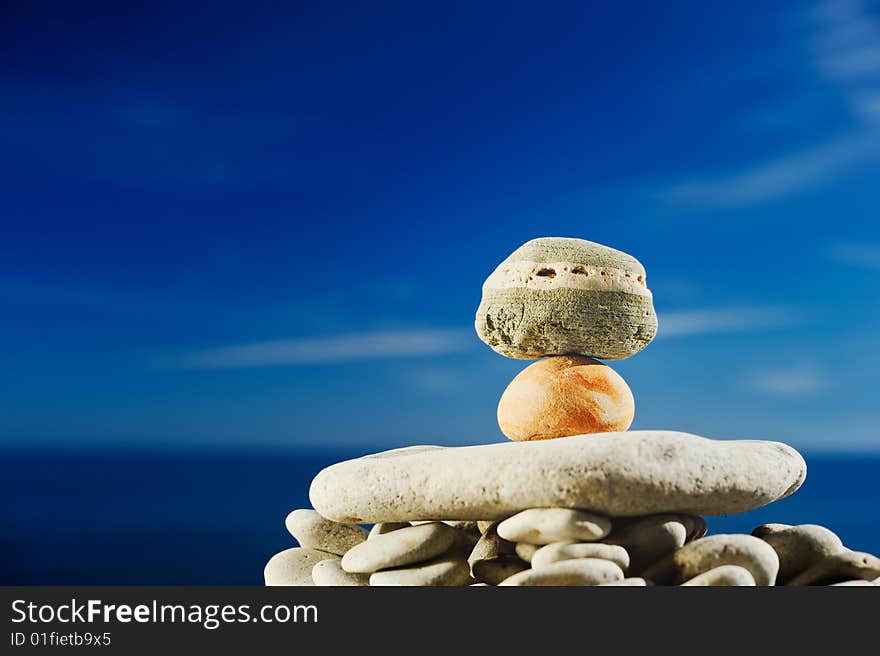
x: 713, y: 551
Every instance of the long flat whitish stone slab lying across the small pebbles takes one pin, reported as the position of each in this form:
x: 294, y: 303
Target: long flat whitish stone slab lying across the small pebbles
x: 615, y: 474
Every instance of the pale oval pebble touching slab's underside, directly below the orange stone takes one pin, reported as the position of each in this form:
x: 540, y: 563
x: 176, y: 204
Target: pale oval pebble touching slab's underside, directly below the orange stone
x: 546, y: 525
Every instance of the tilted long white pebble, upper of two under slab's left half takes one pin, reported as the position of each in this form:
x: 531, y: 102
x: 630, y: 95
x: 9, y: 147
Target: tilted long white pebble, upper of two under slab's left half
x: 405, y: 546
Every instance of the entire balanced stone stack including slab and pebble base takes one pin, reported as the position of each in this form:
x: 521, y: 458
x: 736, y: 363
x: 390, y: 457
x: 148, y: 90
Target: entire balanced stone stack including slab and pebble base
x: 575, y: 498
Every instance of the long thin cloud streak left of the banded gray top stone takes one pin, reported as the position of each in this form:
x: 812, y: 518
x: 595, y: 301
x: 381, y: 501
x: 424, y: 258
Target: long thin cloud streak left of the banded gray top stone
x: 324, y: 350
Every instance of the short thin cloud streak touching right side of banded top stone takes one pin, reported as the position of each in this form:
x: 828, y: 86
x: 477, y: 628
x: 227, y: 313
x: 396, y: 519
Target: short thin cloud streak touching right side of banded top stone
x: 710, y: 321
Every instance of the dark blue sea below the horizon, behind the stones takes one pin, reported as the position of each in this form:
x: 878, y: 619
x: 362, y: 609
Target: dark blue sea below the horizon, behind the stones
x: 215, y: 517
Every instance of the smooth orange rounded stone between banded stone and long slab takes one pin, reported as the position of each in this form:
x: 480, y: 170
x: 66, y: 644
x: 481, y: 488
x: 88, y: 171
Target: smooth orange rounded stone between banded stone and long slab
x: 565, y: 395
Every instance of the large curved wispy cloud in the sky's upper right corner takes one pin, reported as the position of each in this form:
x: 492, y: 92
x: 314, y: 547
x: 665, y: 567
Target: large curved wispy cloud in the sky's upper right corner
x: 845, y: 52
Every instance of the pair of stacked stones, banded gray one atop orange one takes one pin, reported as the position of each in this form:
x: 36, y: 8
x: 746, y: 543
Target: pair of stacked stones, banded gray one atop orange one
x: 569, y: 302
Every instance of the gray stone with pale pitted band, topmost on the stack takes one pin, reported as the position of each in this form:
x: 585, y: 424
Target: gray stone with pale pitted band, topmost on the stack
x: 557, y: 295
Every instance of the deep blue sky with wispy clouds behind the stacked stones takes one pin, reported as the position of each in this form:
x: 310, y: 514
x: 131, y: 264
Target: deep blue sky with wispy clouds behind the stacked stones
x: 269, y: 223
